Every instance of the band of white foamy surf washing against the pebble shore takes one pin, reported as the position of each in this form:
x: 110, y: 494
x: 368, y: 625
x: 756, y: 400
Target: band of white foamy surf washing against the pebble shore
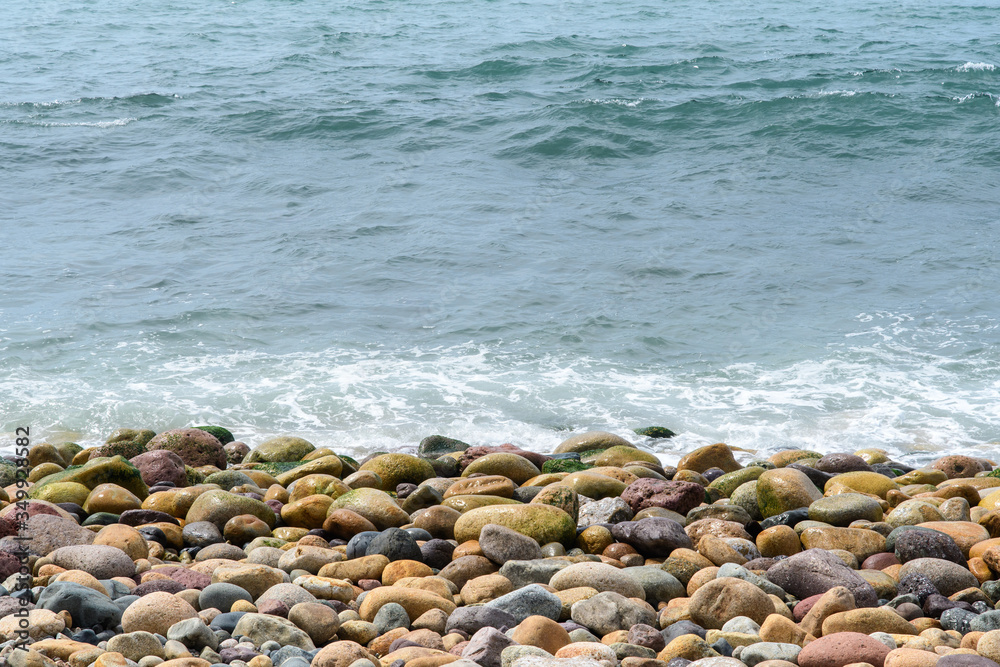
x: 872, y: 392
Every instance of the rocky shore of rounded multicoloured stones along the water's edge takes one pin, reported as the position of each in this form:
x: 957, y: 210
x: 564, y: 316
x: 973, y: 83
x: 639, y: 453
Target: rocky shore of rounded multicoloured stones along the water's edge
x: 188, y: 549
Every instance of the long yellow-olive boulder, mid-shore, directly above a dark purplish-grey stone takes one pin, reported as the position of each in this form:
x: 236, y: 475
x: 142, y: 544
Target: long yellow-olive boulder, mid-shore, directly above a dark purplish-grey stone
x: 543, y: 523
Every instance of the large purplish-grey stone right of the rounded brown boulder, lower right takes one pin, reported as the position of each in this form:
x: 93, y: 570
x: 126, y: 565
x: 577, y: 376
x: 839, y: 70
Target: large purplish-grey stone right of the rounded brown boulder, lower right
x: 816, y: 571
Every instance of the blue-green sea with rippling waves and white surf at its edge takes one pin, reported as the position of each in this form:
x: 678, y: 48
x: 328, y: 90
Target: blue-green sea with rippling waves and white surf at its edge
x: 771, y: 224
